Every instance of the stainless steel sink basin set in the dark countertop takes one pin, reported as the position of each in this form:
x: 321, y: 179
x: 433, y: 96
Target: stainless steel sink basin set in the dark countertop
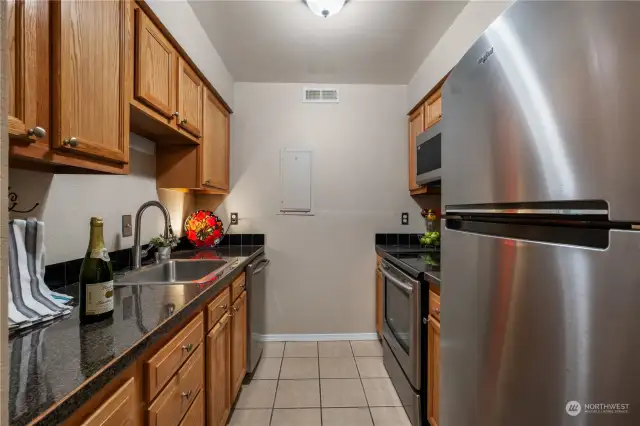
x: 175, y: 272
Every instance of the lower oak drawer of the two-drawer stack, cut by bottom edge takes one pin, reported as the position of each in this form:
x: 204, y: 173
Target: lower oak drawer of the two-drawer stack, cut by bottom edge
x: 177, y: 396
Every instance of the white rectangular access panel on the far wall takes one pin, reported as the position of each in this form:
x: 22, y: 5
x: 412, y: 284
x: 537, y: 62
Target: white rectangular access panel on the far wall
x: 295, y: 181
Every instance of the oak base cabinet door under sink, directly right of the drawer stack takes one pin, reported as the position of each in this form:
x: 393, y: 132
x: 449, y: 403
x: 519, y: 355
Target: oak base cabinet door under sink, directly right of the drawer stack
x: 219, y: 373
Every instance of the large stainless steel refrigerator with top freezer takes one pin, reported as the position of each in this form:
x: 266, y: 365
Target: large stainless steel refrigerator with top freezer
x: 541, y: 250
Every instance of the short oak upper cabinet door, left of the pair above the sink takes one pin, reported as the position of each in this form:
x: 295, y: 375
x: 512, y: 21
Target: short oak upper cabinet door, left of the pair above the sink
x: 155, y: 67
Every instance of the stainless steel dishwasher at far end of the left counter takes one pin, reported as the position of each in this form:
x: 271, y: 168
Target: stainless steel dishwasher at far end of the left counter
x: 256, y: 293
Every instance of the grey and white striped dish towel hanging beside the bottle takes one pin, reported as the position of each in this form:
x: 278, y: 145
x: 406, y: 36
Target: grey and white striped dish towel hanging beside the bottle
x: 30, y: 300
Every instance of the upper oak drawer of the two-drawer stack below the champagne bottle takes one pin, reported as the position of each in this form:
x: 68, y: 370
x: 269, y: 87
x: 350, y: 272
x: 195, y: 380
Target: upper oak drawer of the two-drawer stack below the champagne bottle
x: 167, y: 360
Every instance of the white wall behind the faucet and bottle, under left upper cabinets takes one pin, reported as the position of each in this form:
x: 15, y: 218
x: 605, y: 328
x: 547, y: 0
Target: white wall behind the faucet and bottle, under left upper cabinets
x: 67, y: 202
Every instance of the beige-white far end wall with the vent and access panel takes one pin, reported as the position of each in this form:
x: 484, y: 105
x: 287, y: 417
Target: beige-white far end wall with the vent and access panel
x: 321, y: 279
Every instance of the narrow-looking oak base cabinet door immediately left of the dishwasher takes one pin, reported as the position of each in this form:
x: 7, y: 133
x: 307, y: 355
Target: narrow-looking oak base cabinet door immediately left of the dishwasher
x: 238, y: 344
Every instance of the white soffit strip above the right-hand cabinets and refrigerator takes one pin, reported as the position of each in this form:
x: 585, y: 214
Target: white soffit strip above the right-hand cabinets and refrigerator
x: 463, y: 32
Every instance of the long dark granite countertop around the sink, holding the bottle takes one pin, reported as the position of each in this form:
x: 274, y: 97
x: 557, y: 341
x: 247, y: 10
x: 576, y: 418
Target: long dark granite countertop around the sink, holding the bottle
x: 48, y: 364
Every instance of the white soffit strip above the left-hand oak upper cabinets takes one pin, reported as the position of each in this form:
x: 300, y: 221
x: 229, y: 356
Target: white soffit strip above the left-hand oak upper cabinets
x: 183, y: 24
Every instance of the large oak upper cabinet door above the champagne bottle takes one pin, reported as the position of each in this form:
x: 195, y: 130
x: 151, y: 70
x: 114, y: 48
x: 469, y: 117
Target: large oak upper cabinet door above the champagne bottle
x: 90, y: 97
